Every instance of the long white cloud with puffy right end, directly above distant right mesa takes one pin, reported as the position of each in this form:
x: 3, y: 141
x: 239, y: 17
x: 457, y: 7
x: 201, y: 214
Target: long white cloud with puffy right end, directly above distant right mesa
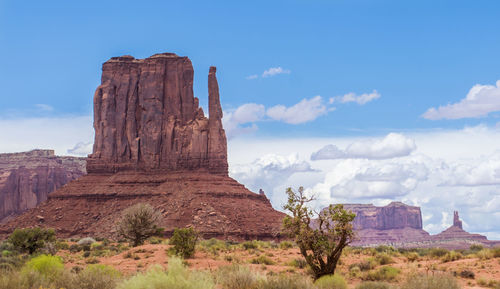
x: 391, y: 146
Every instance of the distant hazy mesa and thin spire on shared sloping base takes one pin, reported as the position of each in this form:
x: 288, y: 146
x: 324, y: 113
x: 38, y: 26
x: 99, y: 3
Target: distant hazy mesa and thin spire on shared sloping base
x: 400, y: 225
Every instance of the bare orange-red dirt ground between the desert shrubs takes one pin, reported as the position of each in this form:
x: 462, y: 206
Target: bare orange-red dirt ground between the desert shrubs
x: 132, y: 260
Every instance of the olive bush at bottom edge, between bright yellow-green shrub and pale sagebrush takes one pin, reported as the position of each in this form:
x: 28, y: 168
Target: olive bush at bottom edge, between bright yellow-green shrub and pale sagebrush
x: 96, y: 277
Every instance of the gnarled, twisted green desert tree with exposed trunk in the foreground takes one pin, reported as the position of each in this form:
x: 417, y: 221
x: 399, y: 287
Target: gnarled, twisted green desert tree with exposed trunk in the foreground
x: 320, y: 246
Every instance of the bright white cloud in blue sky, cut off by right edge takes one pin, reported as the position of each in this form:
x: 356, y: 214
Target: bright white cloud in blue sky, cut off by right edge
x: 479, y: 102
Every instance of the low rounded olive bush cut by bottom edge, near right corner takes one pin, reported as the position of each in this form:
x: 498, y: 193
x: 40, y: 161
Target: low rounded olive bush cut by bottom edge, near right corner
x: 435, y: 281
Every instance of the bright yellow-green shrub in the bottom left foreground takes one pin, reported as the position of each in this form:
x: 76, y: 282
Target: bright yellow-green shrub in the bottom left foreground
x: 47, y: 266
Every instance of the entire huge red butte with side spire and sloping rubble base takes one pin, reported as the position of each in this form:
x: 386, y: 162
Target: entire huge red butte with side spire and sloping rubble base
x: 154, y: 144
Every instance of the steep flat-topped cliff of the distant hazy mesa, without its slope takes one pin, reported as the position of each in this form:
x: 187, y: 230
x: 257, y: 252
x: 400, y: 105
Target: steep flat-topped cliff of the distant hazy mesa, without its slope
x: 396, y: 215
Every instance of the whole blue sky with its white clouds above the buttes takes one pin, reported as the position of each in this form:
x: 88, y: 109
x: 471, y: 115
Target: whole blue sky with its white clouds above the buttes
x: 322, y: 59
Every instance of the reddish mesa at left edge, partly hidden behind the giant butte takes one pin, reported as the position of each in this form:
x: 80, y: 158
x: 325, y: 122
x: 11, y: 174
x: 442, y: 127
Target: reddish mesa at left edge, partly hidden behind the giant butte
x: 27, y: 178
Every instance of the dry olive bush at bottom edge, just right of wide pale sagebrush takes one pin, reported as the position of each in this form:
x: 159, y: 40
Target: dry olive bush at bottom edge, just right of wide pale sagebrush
x: 237, y: 277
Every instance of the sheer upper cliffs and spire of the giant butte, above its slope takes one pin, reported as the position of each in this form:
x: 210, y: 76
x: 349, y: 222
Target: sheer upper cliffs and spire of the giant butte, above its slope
x: 146, y: 118
